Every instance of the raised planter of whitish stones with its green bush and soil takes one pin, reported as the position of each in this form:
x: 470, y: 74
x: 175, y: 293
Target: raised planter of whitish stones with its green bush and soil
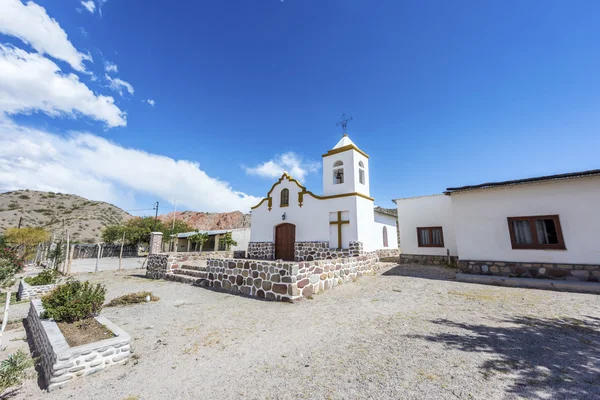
x: 71, y: 339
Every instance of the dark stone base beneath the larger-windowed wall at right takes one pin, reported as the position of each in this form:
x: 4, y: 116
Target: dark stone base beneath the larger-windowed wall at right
x: 574, y: 272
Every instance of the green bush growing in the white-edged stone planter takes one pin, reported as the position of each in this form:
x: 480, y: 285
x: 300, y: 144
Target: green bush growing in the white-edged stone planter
x: 74, y: 301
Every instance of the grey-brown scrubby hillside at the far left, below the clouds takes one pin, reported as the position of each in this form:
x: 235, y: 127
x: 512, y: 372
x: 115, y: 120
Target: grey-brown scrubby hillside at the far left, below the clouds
x: 84, y: 218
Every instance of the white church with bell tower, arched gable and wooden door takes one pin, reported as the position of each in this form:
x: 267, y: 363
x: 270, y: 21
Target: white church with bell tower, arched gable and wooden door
x: 294, y: 224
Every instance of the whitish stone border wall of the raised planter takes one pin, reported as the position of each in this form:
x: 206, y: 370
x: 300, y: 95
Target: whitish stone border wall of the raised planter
x: 61, y: 363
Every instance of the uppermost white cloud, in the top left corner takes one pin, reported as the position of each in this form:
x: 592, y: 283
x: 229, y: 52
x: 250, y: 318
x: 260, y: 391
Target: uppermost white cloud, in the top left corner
x: 30, y: 23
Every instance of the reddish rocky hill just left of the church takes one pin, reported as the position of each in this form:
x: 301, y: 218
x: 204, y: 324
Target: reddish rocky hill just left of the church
x: 210, y: 221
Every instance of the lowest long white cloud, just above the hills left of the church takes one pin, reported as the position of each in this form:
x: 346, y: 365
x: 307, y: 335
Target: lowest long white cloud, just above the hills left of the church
x: 95, y: 168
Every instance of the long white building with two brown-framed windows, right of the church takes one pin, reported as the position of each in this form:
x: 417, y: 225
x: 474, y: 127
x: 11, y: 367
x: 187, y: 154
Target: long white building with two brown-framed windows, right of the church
x: 545, y: 226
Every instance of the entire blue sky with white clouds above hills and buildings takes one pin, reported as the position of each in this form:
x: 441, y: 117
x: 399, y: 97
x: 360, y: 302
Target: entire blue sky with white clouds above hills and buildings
x: 442, y: 94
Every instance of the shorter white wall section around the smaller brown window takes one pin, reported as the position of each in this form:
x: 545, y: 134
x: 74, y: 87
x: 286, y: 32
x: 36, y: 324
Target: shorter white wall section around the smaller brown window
x: 426, y: 211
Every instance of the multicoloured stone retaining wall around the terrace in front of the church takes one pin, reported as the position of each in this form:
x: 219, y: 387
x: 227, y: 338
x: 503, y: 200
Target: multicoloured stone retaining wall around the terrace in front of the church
x: 284, y: 281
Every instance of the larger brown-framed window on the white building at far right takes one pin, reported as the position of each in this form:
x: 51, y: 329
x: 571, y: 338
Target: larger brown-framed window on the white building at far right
x: 539, y: 232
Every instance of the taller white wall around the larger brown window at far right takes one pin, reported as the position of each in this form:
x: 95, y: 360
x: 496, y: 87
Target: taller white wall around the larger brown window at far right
x: 482, y: 228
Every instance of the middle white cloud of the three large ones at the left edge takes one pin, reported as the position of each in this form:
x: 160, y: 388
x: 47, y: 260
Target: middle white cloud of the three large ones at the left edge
x: 30, y: 82
